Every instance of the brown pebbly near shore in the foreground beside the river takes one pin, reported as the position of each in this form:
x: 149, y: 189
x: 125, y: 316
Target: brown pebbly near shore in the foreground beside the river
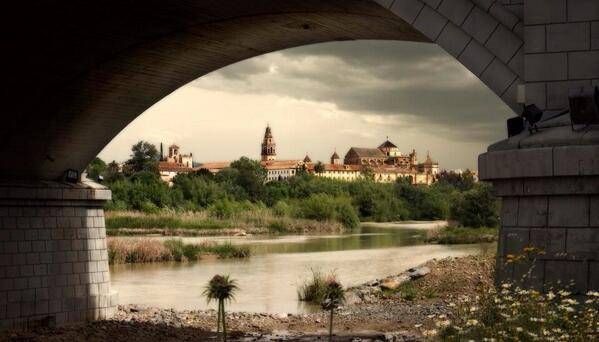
x: 390, y: 316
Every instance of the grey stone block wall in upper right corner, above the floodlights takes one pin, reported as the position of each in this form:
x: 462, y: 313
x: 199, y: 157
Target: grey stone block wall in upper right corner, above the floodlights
x: 561, y: 49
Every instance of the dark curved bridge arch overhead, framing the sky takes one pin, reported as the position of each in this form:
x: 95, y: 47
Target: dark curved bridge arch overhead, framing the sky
x: 98, y: 67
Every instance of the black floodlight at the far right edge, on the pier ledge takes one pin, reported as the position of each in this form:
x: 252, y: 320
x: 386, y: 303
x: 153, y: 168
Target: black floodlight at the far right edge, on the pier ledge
x: 584, y: 106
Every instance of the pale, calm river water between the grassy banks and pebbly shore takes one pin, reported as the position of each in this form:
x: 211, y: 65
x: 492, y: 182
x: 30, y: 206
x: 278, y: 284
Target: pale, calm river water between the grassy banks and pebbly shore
x: 269, y: 279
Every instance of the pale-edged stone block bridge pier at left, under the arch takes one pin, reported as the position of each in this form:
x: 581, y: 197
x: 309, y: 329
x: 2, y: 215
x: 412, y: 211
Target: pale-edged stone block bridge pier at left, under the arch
x: 53, y: 256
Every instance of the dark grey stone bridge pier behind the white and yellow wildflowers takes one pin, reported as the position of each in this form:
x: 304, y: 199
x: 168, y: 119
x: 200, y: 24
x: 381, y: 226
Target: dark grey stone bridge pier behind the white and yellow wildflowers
x: 549, y: 186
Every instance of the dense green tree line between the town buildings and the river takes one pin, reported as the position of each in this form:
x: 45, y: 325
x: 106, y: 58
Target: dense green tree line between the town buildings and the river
x: 242, y: 186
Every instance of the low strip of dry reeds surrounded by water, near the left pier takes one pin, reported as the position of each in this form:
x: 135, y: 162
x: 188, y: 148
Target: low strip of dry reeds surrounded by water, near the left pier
x: 122, y: 251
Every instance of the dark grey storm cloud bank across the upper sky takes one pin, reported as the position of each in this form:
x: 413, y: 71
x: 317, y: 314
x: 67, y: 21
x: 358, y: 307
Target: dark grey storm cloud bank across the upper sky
x: 415, y: 82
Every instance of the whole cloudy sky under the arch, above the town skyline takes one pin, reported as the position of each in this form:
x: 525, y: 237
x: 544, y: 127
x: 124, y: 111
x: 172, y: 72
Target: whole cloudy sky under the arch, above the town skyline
x: 329, y: 96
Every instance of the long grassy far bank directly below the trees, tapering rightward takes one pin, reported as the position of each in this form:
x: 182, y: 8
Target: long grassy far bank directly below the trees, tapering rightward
x: 202, y: 223
